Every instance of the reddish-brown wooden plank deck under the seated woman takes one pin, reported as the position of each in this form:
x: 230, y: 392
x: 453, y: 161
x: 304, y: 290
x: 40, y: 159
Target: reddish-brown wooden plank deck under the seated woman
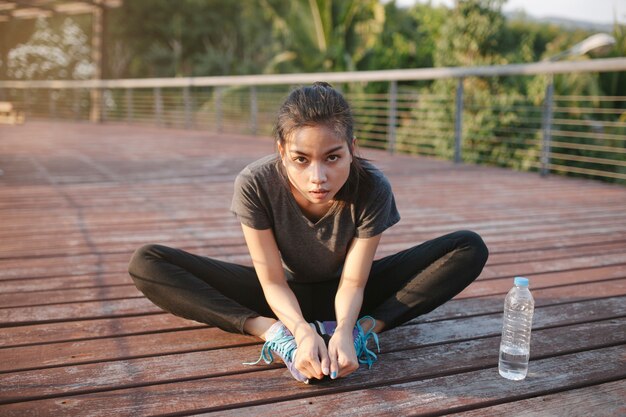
x: 79, y: 339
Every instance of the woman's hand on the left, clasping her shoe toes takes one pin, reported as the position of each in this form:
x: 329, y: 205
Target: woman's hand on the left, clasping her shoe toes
x: 312, y: 356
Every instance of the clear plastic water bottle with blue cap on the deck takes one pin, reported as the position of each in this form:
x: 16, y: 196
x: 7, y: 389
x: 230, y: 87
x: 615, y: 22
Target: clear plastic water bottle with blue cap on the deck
x: 517, y: 323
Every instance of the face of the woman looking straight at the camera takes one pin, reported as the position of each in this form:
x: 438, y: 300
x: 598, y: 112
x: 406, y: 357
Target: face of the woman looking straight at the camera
x: 317, y: 164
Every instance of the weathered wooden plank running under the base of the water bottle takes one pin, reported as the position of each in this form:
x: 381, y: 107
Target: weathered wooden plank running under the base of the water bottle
x: 452, y: 393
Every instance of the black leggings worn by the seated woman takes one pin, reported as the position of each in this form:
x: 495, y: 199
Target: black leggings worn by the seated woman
x: 400, y: 287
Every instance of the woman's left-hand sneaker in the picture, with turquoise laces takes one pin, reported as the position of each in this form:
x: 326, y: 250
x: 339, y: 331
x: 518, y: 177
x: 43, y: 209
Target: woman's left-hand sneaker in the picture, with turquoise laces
x: 279, y: 340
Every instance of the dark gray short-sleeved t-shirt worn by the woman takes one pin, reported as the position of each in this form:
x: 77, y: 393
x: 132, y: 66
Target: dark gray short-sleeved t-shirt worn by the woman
x: 311, y: 252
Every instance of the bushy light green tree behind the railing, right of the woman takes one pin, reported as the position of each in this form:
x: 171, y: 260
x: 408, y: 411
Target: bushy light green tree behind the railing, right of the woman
x: 474, y: 33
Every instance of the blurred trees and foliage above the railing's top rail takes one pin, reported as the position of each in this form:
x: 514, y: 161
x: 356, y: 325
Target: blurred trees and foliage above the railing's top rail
x: 163, y: 38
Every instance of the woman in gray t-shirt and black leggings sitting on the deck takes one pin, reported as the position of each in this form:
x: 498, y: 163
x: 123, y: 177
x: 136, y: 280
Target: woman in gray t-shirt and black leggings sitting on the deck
x: 312, y: 216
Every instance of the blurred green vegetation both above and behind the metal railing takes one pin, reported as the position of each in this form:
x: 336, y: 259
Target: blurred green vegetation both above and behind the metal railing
x: 163, y: 38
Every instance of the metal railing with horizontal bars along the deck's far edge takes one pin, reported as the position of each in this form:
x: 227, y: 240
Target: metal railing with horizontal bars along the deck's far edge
x: 453, y: 117
